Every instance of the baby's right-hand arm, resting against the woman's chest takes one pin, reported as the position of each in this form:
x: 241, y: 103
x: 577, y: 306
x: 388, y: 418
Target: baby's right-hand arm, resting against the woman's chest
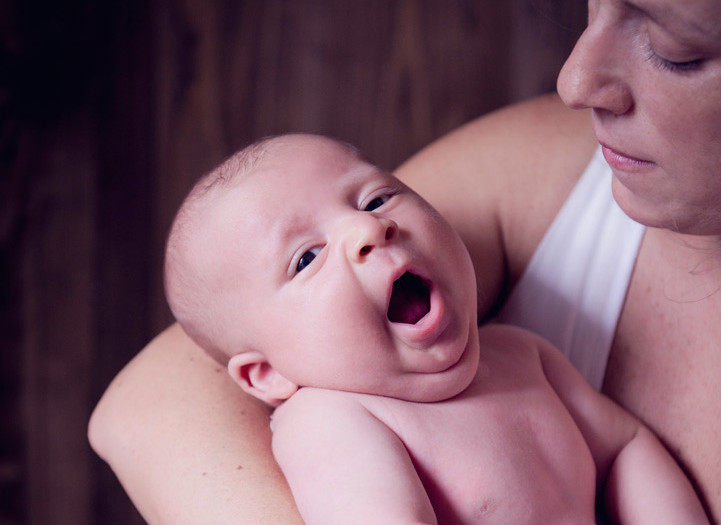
x: 640, y: 481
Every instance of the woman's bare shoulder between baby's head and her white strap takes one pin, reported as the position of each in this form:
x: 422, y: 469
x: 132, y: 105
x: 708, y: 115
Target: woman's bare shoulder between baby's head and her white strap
x: 500, y: 180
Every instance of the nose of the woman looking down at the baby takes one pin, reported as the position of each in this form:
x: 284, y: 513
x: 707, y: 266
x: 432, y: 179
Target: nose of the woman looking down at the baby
x: 594, y: 75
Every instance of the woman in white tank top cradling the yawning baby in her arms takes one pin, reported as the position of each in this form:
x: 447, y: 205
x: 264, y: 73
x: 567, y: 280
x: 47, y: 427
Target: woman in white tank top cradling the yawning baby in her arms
x: 650, y: 71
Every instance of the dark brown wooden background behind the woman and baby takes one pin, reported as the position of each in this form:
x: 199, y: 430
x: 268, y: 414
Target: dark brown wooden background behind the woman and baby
x: 108, y: 112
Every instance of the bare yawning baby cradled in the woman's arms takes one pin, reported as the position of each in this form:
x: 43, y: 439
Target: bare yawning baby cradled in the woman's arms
x: 336, y: 294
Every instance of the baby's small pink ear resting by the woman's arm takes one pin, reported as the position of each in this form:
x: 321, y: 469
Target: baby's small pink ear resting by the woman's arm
x: 256, y: 376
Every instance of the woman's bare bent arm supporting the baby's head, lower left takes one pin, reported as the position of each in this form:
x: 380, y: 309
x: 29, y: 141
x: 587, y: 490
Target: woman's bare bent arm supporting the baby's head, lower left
x: 186, y: 443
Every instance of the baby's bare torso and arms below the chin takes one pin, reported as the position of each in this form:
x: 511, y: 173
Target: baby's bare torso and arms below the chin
x: 506, y: 450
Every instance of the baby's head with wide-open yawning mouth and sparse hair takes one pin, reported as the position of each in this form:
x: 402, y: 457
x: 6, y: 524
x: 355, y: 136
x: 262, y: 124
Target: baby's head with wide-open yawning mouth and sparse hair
x: 298, y: 263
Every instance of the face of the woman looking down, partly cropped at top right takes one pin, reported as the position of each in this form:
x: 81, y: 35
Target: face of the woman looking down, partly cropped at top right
x: 651, y: 72
